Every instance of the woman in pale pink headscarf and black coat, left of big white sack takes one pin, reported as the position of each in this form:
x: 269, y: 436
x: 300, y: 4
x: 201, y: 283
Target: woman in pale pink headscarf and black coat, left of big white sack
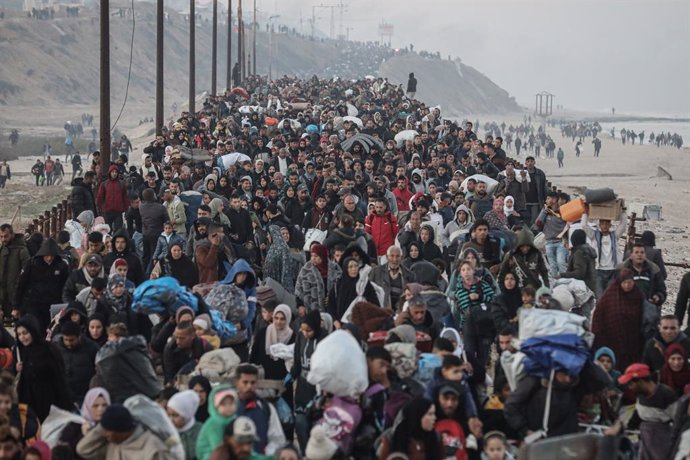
x: 278, y: 331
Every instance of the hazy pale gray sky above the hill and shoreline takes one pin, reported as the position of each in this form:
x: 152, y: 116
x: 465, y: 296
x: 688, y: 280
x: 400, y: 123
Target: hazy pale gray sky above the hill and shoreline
x: 593, y: 55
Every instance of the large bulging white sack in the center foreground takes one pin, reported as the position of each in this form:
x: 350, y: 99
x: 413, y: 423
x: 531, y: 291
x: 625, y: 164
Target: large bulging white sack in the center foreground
x: 338, y: 366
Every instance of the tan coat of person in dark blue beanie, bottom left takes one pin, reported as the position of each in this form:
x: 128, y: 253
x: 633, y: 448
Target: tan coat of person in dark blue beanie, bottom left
x: 142, y: 444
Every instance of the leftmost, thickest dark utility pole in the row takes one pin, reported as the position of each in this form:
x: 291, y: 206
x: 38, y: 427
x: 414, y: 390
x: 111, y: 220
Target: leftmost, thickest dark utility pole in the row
x: 105, y: 87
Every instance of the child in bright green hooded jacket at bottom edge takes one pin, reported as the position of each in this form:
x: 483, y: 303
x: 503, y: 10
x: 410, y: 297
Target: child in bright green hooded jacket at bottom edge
x: 222, y: 409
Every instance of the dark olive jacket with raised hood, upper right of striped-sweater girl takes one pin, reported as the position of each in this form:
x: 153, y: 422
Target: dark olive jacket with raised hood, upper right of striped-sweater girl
x: 527, y: 267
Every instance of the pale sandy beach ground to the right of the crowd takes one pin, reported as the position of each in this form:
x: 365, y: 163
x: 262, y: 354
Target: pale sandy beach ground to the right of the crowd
x: 631, y: 170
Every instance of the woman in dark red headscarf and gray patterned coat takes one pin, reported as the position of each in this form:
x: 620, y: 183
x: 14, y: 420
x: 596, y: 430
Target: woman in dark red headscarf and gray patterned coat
x: 317, y: 278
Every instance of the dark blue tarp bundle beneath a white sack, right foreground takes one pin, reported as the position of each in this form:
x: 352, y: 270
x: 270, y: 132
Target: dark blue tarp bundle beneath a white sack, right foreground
x: 566, y: 352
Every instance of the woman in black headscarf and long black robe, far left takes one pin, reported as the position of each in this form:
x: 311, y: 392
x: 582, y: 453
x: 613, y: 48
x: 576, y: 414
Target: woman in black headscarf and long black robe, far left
x: 40, y: 369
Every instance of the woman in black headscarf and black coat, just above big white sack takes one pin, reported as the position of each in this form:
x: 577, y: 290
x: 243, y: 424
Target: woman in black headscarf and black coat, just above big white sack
x: 350, y: 286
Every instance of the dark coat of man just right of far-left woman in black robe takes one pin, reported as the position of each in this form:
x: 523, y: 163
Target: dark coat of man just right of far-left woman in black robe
x: 80, y: 367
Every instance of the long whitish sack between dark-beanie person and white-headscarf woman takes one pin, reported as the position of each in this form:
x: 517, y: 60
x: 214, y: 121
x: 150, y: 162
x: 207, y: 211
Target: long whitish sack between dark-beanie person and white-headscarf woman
x: 153, y: 417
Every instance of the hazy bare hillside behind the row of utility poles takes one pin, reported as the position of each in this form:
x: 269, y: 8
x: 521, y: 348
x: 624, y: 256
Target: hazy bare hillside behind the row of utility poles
x: 53, y: 74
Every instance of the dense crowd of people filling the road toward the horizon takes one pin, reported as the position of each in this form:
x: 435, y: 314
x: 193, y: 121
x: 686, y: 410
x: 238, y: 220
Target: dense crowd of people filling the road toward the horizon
x: 256, y: 233
